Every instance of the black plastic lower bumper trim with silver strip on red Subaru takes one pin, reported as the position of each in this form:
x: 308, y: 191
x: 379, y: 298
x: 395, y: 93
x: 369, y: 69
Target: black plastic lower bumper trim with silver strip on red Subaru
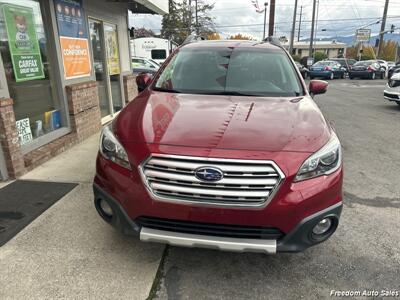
x: 298, y: 239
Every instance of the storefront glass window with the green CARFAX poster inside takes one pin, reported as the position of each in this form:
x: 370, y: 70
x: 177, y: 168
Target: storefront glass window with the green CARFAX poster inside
x: 28, y: 68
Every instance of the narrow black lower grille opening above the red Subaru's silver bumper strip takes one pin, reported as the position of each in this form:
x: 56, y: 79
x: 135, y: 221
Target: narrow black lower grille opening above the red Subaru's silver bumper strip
x: 235, y: 231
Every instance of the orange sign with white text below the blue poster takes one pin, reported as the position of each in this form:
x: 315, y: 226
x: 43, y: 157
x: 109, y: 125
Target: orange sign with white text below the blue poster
x: 76, y: 60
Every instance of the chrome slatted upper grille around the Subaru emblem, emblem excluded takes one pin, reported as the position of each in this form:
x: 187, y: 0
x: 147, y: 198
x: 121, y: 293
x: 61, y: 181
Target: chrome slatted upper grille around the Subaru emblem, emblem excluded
x: 249, y: 183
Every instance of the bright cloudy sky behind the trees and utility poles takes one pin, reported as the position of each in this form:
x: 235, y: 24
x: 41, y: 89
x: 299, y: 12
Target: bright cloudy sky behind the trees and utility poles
x: 335, y: 17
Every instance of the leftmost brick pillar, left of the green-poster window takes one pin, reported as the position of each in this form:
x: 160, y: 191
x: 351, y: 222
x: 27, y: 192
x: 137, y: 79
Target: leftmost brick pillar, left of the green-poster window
x: 9, y: 139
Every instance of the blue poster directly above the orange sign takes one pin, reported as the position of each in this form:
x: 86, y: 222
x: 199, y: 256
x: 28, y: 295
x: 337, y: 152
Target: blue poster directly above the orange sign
x: 70, y: 18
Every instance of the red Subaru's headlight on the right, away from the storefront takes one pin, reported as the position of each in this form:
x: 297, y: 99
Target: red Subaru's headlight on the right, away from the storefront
x: 323, y: 162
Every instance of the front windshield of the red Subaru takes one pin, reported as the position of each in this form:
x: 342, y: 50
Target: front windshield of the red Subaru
x: 256, y: 72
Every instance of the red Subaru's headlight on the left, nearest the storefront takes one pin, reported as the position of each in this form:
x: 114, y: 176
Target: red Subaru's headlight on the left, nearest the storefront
x: 111, y: 148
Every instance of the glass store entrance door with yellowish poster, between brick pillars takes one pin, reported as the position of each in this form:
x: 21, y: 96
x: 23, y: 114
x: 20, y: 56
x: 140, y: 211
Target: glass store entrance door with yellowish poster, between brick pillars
x: 106, y: 62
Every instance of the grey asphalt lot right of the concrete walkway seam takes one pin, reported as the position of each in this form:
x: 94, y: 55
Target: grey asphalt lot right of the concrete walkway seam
x: 362, y: 255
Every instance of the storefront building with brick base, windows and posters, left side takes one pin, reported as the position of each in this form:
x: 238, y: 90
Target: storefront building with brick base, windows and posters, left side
x: 65, y: 69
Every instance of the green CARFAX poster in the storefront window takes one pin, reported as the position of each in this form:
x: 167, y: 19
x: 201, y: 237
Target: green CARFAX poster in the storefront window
x: 23, y: 42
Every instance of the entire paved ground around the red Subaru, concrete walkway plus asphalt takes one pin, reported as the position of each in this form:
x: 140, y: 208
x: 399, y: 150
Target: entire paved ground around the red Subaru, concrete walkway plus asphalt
x: 69, y: 252
